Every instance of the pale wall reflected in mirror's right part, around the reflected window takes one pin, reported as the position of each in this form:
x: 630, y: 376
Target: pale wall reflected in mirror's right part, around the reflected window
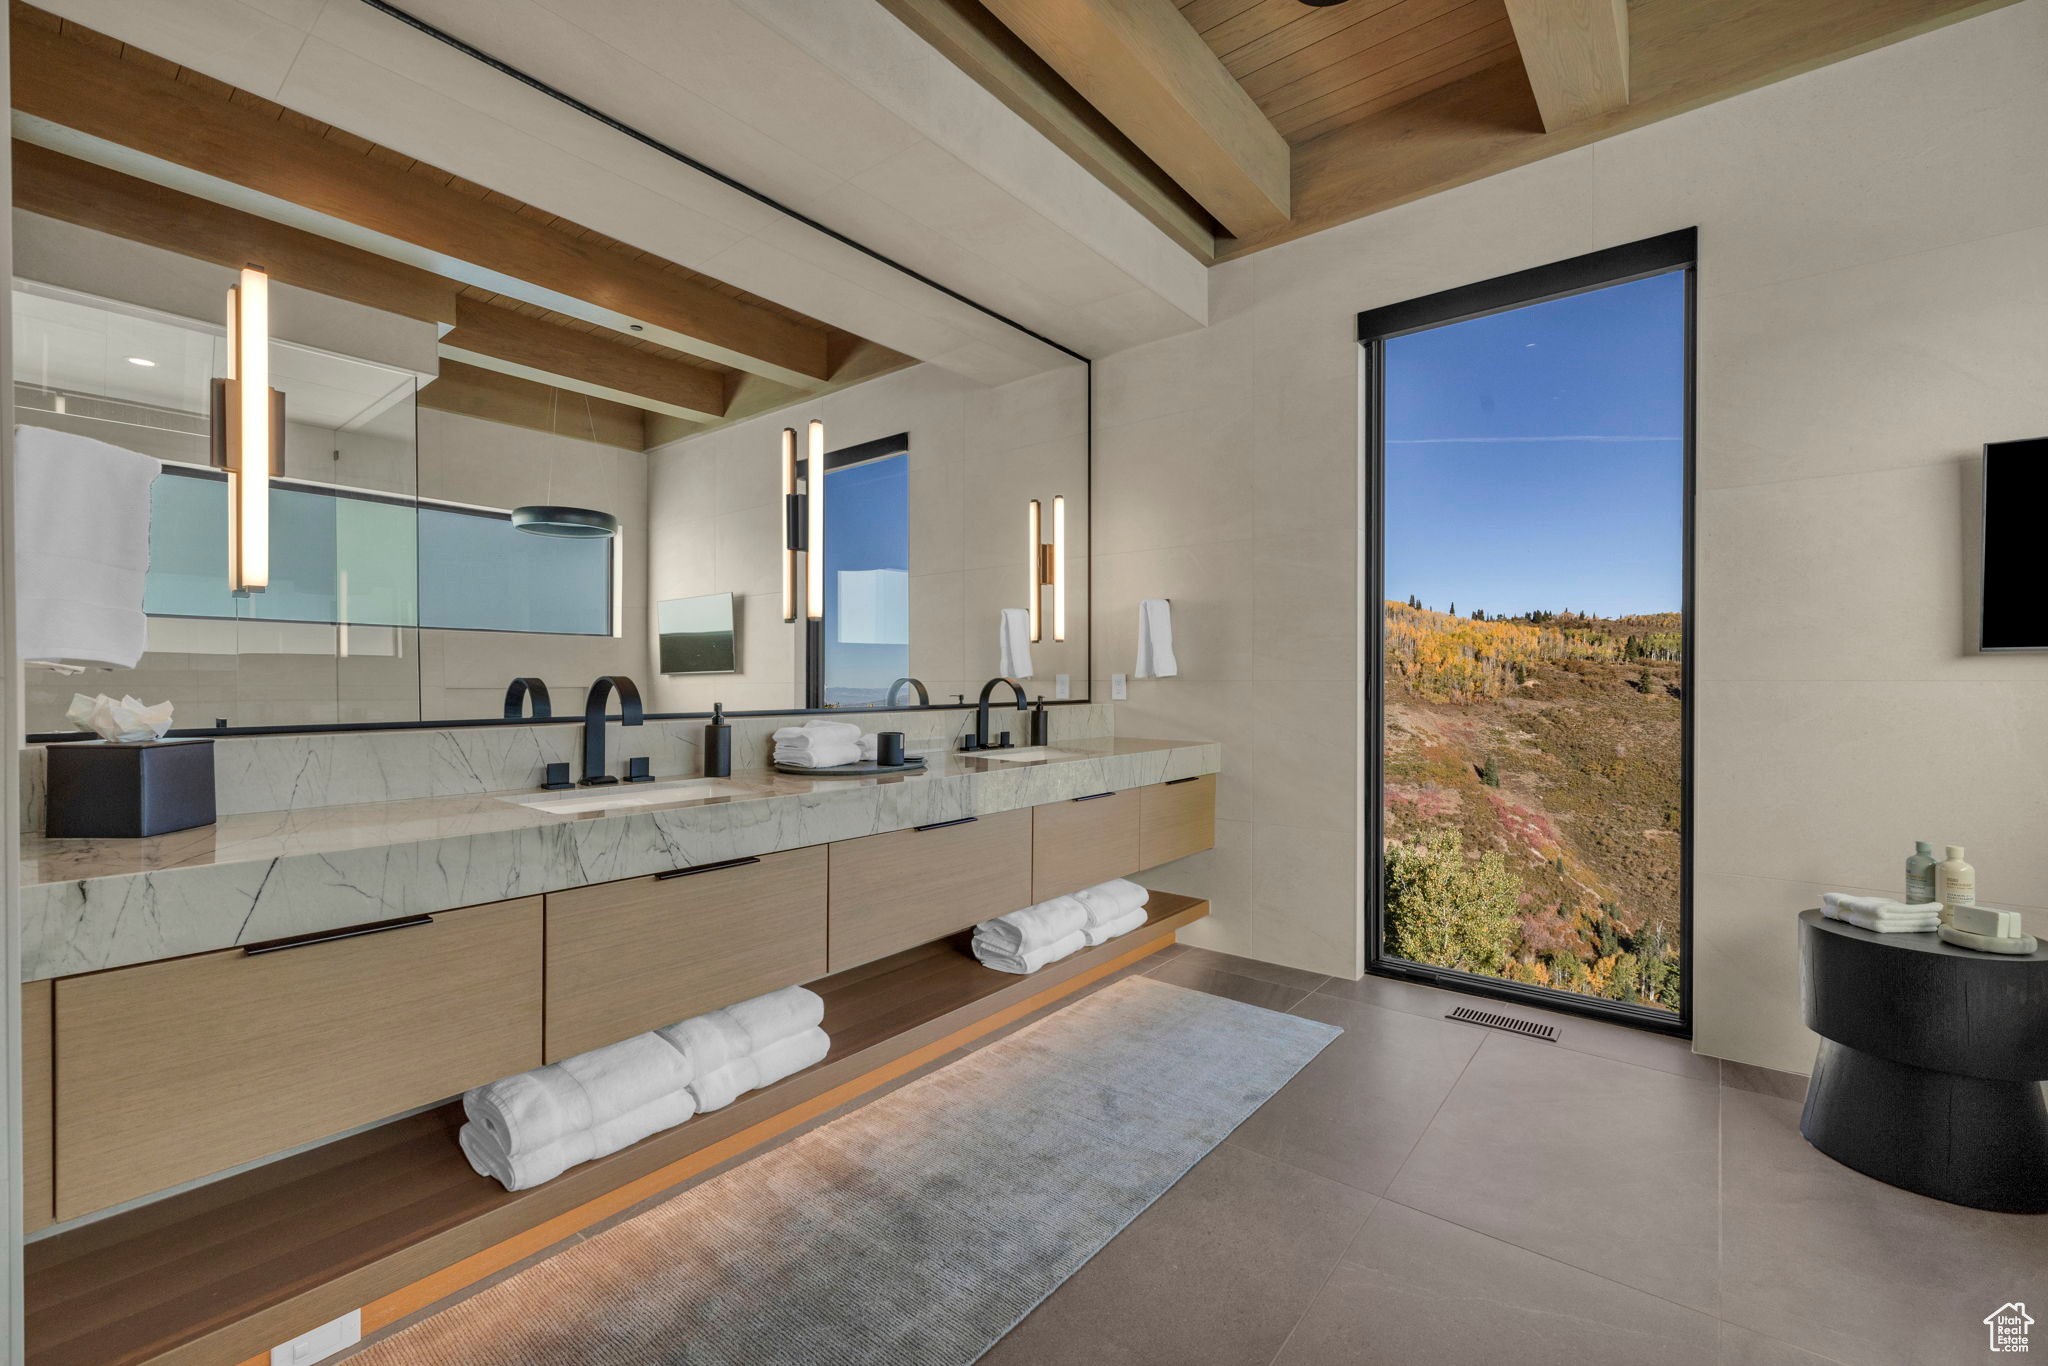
x: 976, y: 460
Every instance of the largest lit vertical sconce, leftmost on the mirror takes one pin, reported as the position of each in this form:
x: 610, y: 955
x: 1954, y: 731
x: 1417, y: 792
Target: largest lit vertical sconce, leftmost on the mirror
x: 249, y: 431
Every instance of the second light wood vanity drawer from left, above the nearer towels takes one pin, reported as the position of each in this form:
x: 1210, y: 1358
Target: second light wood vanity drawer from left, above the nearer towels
x: 632, y: 957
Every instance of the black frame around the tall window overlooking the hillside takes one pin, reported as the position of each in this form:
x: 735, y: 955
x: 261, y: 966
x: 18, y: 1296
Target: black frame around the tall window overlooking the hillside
x: 1664, y: 255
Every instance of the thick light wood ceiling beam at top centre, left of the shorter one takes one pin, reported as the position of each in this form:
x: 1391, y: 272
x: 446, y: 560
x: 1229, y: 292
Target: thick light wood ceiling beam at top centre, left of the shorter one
x: 1154, y: 77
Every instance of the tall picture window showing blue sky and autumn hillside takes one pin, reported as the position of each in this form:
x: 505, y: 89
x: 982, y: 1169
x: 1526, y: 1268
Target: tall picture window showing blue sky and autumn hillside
x: 1531, y: 566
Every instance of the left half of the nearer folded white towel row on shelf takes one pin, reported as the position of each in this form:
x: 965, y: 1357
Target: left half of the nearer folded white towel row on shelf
x: 534, y: 1127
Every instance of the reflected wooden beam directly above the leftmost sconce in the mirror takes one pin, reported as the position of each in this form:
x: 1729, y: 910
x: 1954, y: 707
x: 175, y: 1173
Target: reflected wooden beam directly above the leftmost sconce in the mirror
x: 73, y: 191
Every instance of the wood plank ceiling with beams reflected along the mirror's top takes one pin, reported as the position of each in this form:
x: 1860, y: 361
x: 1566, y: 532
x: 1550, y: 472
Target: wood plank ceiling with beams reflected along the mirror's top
x: 507, y: 357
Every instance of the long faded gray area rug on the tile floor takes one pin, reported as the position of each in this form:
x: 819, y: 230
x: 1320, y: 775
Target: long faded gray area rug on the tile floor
x: 914, y: 1232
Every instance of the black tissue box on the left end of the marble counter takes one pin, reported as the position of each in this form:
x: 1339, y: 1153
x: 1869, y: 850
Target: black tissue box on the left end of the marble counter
x: 108, y: 789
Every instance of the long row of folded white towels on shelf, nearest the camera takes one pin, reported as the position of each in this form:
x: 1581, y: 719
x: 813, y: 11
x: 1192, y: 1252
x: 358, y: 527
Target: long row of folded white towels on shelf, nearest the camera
x: 534, y: 1127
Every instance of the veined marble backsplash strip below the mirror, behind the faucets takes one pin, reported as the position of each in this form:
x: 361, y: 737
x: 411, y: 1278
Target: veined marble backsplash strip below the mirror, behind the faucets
x: 294, y: 773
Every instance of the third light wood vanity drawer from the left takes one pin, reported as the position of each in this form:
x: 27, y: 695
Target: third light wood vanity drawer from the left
x: 916, y: 886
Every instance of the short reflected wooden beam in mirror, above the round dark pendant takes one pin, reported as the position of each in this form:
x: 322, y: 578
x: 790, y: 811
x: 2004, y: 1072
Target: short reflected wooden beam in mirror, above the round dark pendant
x: 507, y: 341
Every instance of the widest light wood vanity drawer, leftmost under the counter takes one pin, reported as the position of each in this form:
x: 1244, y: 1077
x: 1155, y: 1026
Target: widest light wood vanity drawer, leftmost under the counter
x: 175, y: 1070
